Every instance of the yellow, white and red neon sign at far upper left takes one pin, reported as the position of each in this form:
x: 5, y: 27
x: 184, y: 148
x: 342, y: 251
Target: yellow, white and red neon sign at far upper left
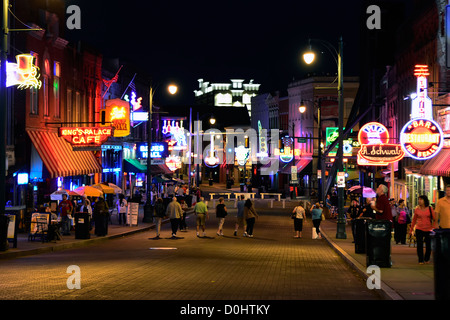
x: 24, y: 73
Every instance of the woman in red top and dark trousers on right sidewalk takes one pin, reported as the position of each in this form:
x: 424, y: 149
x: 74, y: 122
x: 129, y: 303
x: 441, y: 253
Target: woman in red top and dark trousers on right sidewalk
x: 424, y: 221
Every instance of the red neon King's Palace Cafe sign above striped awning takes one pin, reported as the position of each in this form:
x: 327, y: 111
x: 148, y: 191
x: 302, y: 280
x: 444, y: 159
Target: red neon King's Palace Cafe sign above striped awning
x: 85, y: 136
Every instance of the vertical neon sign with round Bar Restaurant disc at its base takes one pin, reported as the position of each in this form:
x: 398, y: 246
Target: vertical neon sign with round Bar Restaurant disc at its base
x: 421, y: 138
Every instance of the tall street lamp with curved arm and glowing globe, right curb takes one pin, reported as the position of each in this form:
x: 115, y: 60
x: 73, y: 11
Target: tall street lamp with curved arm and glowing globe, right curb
x: 309, y: 58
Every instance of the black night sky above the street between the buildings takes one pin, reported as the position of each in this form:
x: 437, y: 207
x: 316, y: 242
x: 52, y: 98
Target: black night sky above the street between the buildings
x: 183, y: 41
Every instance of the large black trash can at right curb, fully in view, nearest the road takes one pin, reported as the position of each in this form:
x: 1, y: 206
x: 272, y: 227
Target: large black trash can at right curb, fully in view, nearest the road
x: 378, y: 243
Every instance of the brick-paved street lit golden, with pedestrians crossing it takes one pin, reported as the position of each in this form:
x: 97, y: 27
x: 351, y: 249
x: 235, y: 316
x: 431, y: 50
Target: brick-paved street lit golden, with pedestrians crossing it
x: 271, y: 266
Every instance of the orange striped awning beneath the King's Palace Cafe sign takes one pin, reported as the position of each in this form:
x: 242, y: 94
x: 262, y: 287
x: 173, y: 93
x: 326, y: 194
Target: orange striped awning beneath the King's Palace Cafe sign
x: 59, y: 158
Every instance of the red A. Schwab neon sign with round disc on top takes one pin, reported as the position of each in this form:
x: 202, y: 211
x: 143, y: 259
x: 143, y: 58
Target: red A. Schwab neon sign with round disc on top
x: 375, y: 147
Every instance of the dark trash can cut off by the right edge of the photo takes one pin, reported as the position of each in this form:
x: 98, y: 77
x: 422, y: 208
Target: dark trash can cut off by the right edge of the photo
x: 440, y: 240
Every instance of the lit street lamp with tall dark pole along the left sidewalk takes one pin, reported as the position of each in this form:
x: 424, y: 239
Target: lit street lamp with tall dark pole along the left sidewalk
x: 148, y: 217
